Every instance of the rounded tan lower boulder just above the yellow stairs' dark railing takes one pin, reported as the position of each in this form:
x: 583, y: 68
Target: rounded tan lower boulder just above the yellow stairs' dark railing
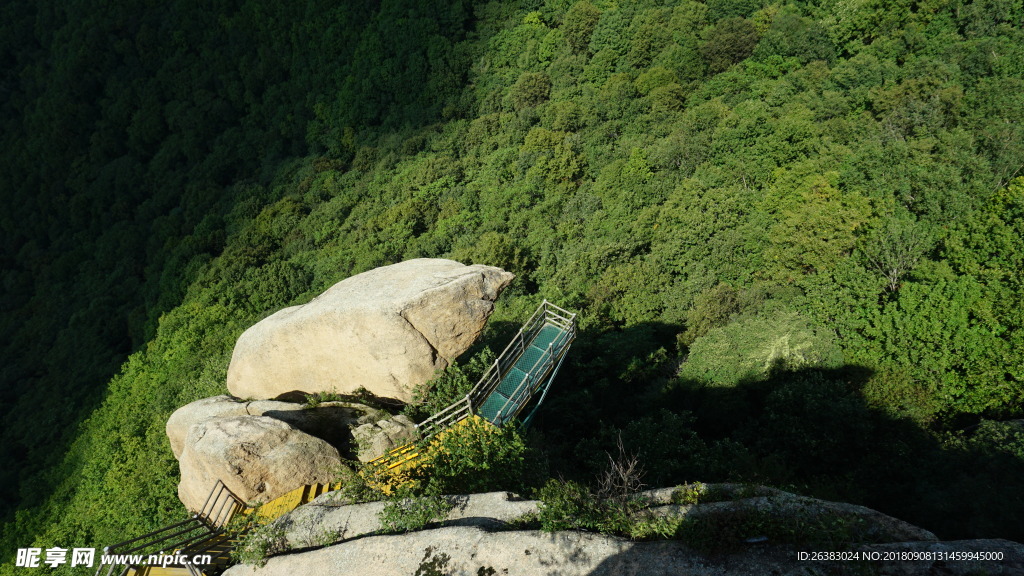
x: 259, y: 459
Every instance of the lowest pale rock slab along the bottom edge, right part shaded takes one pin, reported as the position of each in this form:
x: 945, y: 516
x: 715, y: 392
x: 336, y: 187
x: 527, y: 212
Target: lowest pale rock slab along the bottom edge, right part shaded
x: 475, y: 551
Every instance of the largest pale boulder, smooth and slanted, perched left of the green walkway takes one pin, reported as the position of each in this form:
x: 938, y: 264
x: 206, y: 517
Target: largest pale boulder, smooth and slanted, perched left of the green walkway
x: 387, y: 331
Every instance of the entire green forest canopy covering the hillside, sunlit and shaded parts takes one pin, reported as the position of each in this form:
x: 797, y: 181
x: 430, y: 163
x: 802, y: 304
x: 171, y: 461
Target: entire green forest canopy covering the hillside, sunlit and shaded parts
x: 794, y: 232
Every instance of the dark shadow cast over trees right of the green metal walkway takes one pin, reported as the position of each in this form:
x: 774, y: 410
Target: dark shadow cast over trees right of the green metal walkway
x: 808, y: 431
